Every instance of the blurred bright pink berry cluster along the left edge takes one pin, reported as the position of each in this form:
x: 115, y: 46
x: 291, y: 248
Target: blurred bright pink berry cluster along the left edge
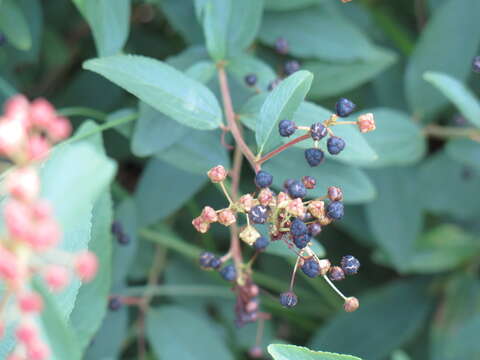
x: 27, y: 131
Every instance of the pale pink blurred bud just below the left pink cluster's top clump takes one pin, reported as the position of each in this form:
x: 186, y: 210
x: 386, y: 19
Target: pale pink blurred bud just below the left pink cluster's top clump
x: 23, y: 183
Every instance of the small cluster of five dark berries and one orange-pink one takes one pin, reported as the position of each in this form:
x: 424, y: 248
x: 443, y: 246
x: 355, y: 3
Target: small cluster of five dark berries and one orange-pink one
x: 320, y: 130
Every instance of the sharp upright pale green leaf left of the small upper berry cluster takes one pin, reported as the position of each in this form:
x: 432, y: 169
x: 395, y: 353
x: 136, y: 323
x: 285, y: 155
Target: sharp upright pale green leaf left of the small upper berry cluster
x: 280, y: 104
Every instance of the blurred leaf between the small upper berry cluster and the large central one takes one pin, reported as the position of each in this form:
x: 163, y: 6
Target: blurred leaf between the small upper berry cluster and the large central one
x: 356, y: 186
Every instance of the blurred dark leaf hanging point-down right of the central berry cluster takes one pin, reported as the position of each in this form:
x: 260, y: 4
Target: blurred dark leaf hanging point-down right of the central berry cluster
x: 395, y: 216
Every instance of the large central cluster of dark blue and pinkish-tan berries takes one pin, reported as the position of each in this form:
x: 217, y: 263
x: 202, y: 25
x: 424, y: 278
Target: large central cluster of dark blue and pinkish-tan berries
x: 290, y: 217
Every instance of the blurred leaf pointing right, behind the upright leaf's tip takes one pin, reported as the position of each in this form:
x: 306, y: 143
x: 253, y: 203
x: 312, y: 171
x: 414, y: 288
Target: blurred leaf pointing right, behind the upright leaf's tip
x: 334, y: 78
